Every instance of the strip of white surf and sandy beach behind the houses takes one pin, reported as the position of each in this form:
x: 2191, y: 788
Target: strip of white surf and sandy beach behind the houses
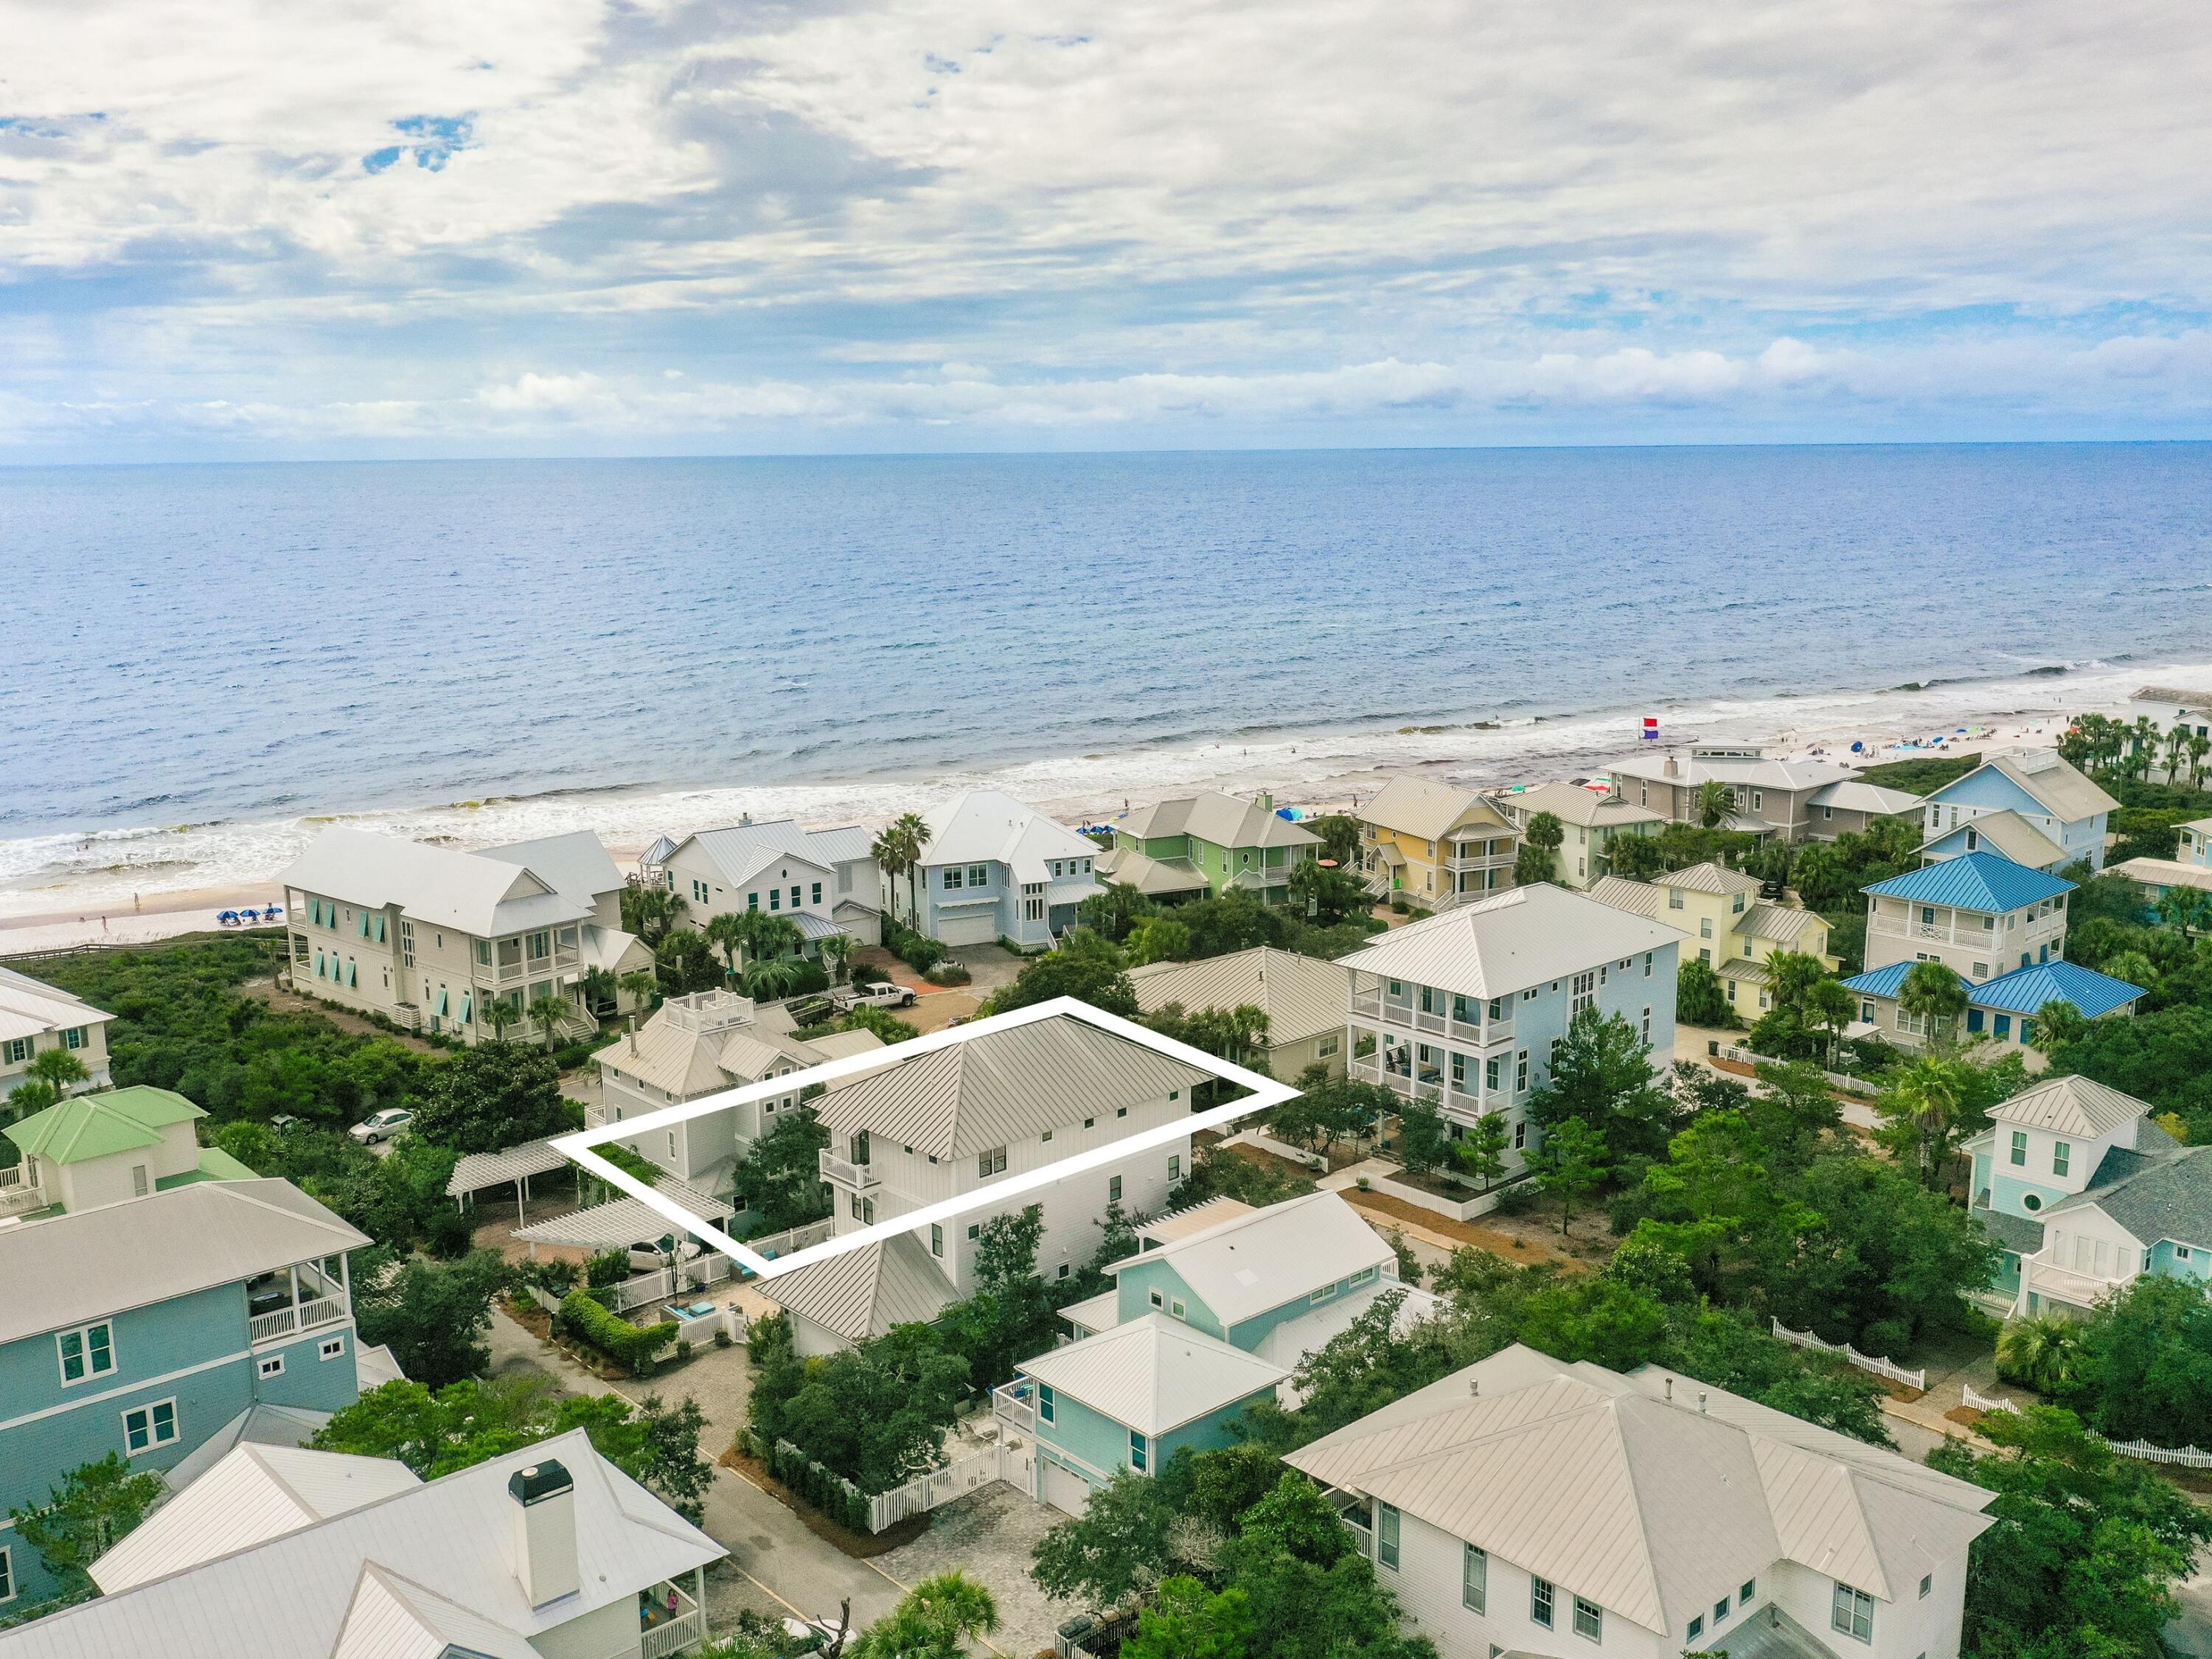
x: 138, y: 886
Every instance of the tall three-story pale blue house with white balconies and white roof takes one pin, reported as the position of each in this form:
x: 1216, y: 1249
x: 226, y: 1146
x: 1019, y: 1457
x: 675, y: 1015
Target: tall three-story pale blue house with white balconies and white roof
x: 1465, y: 1010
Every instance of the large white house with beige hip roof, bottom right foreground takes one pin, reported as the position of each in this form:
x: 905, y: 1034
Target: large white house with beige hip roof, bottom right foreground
x: 1536, y: 1507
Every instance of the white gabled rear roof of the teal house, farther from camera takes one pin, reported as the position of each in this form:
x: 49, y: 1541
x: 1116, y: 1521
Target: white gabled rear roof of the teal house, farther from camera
x: 1271, y: 1258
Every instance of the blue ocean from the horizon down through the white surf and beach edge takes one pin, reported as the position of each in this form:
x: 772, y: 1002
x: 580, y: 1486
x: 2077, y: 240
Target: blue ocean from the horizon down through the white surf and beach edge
x: 207, y: 660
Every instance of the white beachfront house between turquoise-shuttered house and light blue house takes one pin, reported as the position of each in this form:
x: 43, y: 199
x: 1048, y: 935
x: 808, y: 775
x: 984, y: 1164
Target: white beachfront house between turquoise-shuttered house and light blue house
x: 822, y: 881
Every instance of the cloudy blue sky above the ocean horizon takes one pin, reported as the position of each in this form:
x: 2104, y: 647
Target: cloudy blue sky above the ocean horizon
x: 570, y: 227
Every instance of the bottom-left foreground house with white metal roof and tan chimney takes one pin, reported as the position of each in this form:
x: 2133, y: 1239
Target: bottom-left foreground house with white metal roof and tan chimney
x: 539, y: 1554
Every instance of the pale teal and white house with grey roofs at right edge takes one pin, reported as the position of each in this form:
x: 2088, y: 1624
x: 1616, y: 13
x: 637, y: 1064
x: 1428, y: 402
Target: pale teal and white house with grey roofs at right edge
x: 2085, y: 1196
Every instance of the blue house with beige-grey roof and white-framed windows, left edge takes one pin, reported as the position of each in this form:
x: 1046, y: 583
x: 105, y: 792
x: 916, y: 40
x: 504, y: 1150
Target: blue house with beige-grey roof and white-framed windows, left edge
x: 163, y: 1324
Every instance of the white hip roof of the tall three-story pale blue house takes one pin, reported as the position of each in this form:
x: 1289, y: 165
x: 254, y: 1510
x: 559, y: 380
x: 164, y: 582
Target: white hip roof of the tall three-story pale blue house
x: 1512, y: 941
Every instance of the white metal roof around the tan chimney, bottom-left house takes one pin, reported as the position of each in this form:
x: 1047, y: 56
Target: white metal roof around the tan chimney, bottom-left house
x: 300, y: 1596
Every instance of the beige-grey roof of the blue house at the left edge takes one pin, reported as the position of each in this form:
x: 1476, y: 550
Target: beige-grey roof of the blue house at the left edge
x: 85, y: 1264
